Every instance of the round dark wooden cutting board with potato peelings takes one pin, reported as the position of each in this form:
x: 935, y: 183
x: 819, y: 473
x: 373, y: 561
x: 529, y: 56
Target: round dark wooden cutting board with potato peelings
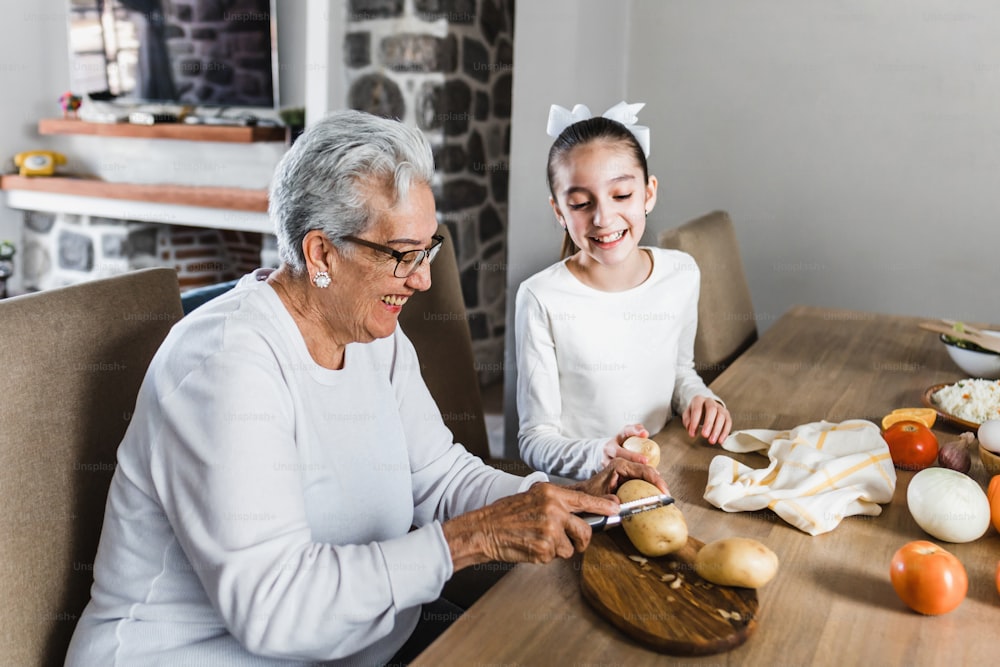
x: 693, y: 618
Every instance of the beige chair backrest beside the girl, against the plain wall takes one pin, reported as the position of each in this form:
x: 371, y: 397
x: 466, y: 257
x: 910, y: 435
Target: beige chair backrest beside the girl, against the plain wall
x: 726, y: 322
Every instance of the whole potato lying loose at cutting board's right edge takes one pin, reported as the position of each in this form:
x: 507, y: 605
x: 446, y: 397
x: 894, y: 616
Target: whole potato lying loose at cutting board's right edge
x: 736, y: 561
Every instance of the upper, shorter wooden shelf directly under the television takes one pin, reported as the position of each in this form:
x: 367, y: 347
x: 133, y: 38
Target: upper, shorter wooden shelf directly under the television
x: 179, y: 131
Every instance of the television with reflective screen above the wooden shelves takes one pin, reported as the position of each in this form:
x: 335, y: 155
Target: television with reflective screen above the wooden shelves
x: 217, y: 53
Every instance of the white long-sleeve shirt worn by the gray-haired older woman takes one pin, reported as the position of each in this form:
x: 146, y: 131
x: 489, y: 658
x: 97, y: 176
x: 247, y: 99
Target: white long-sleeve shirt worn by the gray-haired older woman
x: 262, y: 505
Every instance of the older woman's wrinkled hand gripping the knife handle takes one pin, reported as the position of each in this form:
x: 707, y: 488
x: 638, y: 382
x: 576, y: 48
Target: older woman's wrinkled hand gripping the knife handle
x: 531, y: 527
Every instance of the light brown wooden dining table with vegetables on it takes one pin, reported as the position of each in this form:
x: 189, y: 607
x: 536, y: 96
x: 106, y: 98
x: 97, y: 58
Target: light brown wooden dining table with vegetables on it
x: 832, y: 602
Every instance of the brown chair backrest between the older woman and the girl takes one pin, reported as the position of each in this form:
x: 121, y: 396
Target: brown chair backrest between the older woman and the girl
x: 437, y: 323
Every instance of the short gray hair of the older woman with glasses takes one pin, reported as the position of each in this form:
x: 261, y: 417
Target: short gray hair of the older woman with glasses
x: 321, y: 182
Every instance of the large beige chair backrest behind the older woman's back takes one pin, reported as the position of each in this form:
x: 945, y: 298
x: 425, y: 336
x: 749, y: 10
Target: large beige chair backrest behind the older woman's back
x: 71, y: 362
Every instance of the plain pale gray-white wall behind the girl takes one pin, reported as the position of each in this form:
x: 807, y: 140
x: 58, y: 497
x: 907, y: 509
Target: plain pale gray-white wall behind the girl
x: 856, y: 144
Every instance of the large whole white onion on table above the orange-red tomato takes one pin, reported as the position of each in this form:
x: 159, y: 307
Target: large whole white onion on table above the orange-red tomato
x: 949, y: 505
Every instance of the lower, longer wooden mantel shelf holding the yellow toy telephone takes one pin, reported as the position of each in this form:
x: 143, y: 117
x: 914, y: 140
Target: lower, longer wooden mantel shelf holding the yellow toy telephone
x: 235, y: 199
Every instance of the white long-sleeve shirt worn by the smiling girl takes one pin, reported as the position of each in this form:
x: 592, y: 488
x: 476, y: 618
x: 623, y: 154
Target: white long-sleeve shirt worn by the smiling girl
x: 589, y: 361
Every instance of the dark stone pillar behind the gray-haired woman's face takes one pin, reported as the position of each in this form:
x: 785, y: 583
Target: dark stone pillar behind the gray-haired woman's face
x: 445, y: 66
